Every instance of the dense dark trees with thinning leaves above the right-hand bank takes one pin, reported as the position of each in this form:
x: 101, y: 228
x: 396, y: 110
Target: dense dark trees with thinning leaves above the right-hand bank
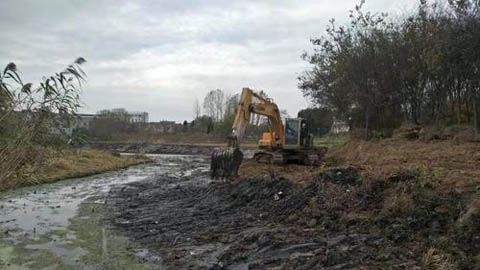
x: 376, y: 72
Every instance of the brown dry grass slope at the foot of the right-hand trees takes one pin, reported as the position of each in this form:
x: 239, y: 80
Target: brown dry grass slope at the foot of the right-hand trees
x: 443, y: 165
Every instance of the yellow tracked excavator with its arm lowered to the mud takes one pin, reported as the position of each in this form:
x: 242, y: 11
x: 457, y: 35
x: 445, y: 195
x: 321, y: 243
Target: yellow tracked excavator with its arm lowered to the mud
x: 283, y: 143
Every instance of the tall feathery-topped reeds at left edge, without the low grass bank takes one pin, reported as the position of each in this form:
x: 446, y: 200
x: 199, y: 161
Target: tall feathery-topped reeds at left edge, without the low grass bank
x: 29, y: 116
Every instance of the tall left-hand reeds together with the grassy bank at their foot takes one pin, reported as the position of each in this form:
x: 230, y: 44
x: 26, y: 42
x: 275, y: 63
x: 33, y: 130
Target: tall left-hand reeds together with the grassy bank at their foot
x: 37, y: 144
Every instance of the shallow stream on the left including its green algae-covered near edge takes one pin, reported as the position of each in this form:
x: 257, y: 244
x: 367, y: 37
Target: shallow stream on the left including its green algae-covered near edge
x: 61, y: 225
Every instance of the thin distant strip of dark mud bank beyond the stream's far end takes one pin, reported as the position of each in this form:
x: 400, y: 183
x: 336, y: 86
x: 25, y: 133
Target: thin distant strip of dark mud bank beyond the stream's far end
x: 153, y: 148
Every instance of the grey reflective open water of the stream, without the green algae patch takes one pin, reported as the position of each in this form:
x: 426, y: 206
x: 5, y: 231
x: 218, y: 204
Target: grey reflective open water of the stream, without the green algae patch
x: 28, y: 214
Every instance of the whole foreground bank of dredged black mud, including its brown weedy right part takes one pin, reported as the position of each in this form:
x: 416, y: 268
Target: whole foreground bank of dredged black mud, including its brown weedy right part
x: 336, y: 222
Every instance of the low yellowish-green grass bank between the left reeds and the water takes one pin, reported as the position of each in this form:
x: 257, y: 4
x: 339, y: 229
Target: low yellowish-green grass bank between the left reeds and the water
x: 59, y: 165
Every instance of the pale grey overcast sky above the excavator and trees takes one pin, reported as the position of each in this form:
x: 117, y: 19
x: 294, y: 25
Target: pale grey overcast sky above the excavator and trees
x: 158, y: 56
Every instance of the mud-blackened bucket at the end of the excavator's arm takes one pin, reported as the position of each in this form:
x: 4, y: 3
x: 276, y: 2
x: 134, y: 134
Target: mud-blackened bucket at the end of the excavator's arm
x: 225, y: 162
